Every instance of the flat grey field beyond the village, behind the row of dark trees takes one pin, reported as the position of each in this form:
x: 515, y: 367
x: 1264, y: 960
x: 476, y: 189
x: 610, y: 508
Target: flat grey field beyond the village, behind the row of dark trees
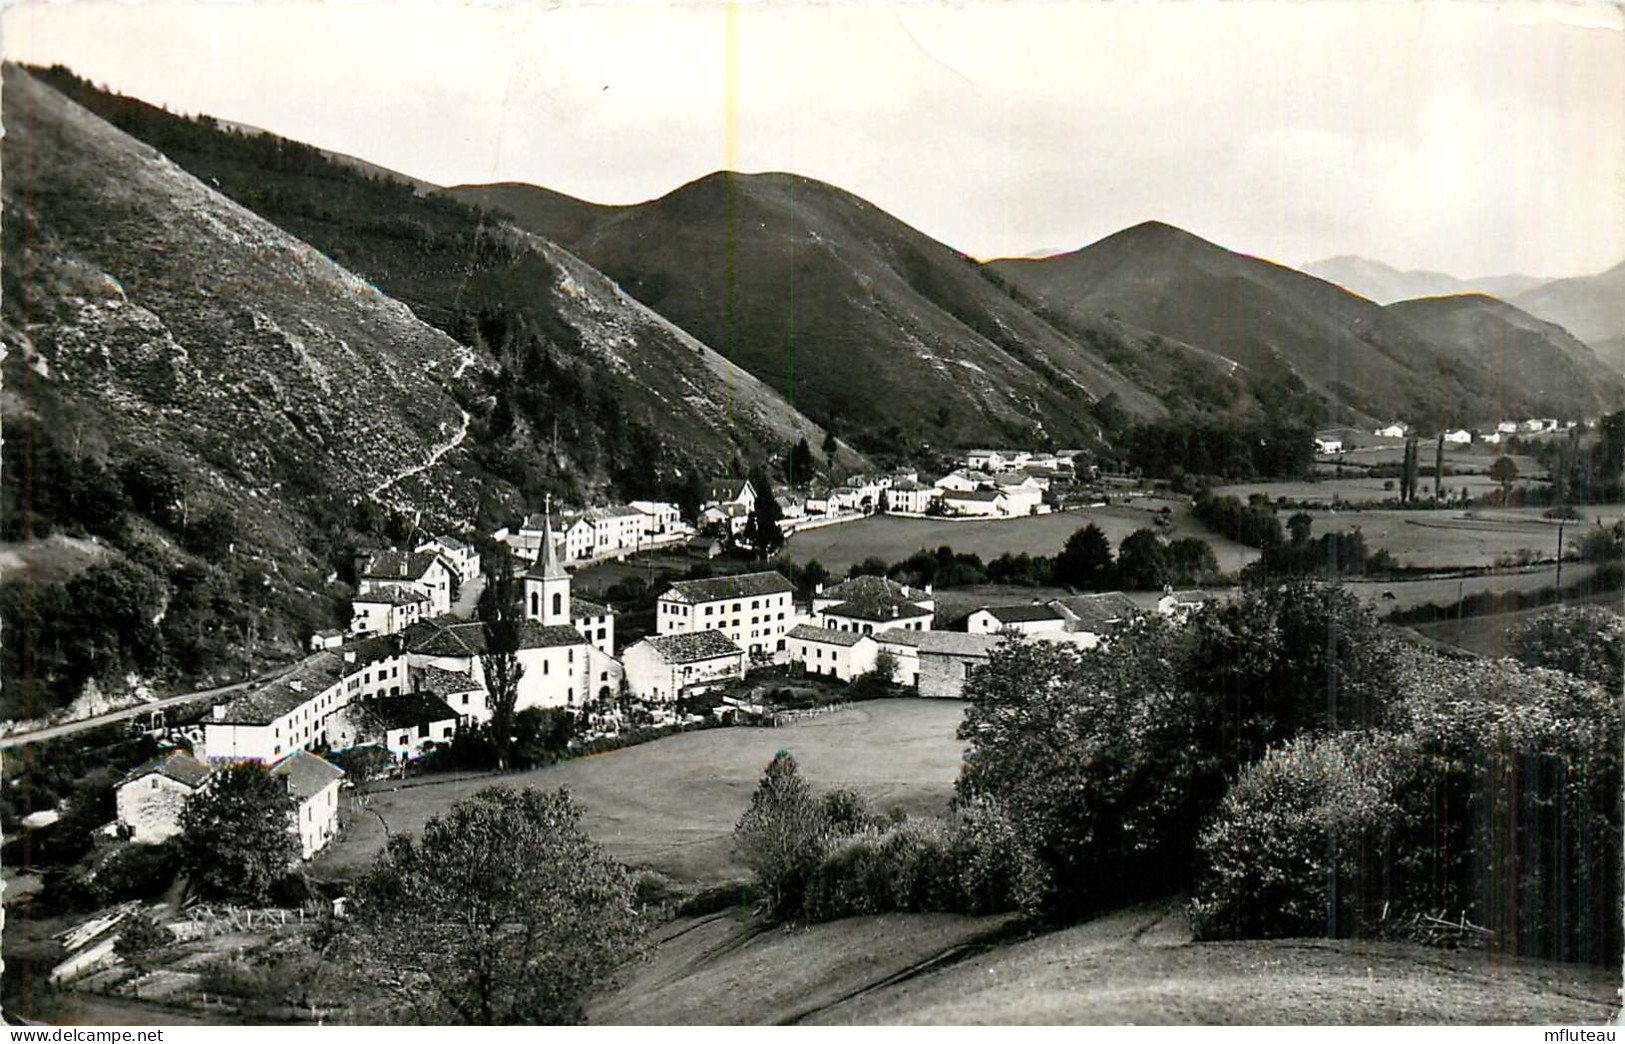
x: 891, y: 539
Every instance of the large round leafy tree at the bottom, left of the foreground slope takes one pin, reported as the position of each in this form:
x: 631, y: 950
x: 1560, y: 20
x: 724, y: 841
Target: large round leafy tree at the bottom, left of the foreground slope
x: 503, y: 913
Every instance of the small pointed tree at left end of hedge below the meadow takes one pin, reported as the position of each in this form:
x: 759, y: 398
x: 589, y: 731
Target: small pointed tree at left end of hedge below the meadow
x: 781, y: 837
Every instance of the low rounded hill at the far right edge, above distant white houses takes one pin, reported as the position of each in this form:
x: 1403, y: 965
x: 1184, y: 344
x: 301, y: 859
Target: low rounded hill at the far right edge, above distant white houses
x: 1540, y: 363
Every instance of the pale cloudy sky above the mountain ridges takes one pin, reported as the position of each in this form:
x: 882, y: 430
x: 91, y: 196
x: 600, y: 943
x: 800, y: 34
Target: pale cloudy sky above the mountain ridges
x: 1468, y: 137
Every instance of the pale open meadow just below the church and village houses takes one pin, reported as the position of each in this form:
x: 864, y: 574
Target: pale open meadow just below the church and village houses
x: 672, y: 806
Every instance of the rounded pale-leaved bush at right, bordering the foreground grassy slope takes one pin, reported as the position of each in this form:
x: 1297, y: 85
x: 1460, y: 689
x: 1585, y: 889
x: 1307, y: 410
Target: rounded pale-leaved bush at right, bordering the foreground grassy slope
x: 1301, y: 843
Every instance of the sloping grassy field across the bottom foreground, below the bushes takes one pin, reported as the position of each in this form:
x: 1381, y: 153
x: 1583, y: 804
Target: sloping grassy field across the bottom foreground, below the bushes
x: 1130, y: 967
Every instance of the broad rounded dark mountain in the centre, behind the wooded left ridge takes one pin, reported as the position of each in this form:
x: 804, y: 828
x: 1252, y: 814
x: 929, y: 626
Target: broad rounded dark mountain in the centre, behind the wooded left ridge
x: 859, y: 318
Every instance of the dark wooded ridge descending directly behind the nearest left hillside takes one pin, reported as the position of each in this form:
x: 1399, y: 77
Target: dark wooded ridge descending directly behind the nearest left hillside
x: 583, y: 393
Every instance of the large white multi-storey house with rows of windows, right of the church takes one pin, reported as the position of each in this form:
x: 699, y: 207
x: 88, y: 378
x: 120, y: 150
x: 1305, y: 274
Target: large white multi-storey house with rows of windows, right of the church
x: 755, y: 611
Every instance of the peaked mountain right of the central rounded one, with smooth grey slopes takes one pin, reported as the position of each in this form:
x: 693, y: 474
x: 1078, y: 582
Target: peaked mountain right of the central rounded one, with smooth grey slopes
x: 1276, y: 323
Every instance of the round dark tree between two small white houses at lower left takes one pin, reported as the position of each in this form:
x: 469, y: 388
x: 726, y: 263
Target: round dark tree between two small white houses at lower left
x: 238, y: 835
